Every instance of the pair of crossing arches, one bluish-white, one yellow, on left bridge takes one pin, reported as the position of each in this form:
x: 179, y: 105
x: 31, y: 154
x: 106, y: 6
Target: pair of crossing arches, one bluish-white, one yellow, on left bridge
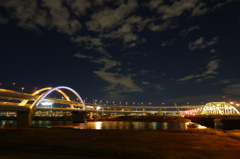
x: 58, y: 89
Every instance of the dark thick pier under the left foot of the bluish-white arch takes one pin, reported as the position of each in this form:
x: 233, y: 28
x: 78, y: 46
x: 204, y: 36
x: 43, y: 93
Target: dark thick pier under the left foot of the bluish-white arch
x: 24, y: 118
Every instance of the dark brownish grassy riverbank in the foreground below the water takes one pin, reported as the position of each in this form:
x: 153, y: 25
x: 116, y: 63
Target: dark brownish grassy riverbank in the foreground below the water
x: 62, y: 143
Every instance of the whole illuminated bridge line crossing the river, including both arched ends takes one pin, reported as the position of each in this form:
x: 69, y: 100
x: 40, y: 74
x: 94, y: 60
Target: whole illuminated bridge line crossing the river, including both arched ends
x: 32, y: 104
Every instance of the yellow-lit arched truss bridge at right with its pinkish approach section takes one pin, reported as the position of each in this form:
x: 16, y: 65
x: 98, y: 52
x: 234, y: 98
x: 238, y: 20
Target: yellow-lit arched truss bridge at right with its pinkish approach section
x: 214, y: 108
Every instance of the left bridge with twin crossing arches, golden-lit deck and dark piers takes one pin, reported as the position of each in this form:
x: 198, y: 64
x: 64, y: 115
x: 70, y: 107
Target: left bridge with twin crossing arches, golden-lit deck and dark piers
x: 25, y: 109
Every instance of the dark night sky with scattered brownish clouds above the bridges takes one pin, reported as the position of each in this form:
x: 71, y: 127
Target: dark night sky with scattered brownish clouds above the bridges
x: 158, y: 51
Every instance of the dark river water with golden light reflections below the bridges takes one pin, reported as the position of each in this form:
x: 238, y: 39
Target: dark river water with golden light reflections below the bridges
x: 109, y: 125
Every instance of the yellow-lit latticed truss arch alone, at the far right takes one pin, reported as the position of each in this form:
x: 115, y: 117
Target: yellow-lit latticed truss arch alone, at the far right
x: 219, y: 108
